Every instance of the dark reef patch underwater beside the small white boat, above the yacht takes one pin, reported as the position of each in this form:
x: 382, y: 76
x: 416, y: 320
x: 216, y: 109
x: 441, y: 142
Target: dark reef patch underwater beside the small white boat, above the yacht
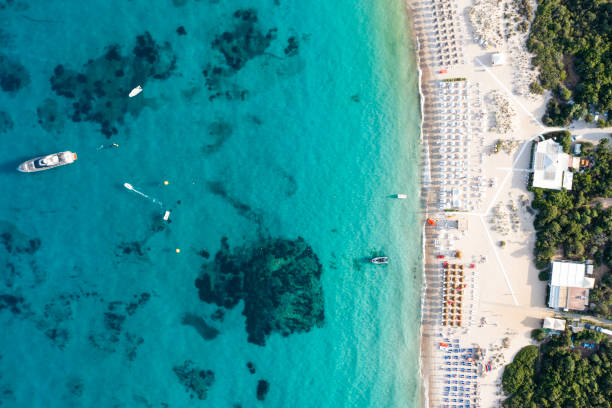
x: 97, y: 98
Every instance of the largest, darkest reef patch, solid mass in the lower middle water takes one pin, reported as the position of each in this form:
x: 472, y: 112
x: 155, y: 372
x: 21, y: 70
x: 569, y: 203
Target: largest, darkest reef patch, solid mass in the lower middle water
x: 279, y: 281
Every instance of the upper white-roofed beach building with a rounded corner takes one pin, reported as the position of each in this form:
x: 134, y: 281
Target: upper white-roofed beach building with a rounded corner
x: 551, y: 166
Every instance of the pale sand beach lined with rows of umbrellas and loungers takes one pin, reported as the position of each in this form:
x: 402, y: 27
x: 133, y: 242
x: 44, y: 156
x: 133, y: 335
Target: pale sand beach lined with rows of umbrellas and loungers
x: 492, y: 298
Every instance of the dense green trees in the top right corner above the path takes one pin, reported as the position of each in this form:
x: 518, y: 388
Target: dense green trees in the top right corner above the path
x: 572, y: 43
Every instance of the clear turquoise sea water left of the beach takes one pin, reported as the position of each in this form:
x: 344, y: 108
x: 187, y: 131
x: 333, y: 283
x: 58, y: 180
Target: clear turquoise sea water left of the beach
x: 302, y: 131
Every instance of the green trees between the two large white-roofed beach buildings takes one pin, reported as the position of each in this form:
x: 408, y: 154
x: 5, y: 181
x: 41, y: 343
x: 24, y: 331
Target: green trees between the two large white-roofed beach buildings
x: 573, y: 221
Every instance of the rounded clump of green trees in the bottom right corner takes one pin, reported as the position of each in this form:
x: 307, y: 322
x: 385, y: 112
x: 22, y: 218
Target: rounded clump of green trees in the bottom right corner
x: 561, y: 373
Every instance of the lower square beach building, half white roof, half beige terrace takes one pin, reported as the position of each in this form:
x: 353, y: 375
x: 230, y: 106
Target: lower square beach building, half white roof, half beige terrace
x: 569, y: 287
